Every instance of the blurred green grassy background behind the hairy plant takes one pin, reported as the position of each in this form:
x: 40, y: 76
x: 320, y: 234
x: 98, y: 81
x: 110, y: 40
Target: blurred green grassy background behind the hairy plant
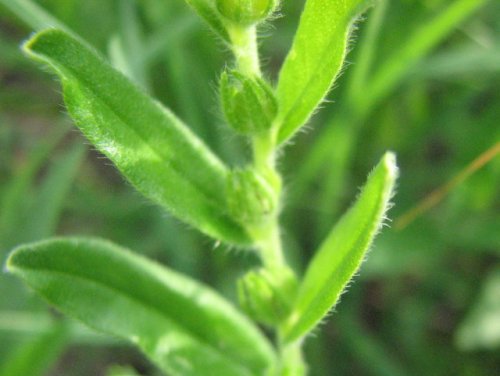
x: 422, y: 79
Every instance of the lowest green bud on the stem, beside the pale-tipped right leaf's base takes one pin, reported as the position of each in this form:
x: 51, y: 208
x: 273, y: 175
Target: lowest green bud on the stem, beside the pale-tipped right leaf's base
x: 267, y: 295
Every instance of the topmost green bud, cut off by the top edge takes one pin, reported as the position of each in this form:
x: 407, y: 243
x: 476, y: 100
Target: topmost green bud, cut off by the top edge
x: 246, y: 12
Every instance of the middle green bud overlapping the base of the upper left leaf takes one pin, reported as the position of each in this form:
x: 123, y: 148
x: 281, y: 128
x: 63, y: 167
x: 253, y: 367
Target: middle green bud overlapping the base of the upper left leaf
x: 251, y: 198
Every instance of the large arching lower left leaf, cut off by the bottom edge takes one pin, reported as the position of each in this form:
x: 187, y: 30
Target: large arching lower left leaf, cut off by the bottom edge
x: 181, y: 325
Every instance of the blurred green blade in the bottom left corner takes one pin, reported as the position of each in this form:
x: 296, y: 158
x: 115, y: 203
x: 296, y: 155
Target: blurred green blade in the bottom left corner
x: 36, y: 356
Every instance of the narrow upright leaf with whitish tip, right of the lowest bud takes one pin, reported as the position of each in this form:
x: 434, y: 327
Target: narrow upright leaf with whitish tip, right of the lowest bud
x: 341, y: 254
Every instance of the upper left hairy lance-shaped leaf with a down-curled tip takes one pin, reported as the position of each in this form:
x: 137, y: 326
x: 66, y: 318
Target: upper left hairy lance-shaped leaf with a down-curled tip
x: 157, y: 153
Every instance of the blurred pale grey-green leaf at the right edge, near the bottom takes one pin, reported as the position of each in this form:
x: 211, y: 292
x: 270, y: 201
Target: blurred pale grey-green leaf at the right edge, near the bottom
x: 481, y: 327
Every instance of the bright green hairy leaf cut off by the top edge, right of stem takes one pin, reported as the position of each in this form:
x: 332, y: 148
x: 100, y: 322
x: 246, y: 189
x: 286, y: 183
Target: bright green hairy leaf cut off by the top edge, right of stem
x: 314, y: 61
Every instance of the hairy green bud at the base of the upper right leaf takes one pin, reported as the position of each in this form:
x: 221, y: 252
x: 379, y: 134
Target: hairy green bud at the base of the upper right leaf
x: 248, y: 103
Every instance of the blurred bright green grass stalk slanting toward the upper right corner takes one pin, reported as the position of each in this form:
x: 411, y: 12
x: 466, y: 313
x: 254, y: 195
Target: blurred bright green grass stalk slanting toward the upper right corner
x: 343, y: 128
